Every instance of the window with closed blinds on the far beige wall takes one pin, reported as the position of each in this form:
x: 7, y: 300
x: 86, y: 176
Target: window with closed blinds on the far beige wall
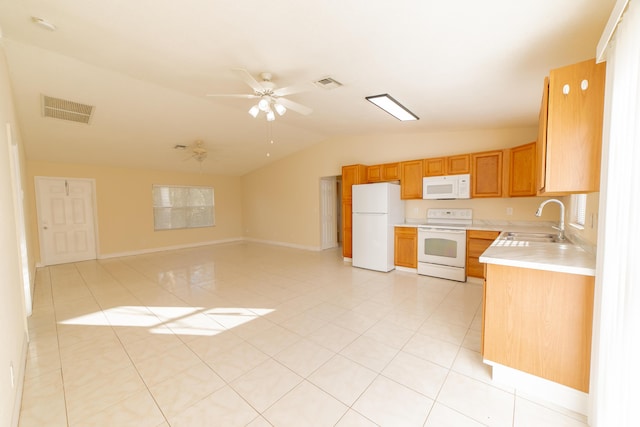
x: 176, y: 207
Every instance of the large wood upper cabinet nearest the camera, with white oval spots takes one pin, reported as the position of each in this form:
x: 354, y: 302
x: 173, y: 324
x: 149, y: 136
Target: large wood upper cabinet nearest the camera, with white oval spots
x: 570, y: 159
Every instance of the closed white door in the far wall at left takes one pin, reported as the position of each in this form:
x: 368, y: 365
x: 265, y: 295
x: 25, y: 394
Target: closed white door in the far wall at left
x: 65, y: 219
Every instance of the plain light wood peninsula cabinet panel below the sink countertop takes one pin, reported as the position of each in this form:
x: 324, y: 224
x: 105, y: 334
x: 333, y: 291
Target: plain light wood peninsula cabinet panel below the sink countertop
x: 539, y: 322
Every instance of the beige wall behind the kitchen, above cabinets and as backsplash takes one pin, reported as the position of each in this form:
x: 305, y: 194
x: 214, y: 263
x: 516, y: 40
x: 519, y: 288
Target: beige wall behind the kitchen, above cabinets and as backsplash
x: 281, y: 201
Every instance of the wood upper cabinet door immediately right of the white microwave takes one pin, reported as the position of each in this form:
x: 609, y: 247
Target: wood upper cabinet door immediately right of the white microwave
x: 486, y: 174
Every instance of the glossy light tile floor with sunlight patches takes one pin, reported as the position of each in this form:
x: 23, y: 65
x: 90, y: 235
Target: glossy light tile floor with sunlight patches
x: 248, y: 334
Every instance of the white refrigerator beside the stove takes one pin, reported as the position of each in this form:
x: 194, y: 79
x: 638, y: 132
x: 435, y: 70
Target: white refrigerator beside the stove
x: 376, y: 209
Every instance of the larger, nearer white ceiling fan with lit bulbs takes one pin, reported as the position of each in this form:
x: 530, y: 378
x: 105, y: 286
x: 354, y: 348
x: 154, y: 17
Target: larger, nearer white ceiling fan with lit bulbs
x: 271, y: 99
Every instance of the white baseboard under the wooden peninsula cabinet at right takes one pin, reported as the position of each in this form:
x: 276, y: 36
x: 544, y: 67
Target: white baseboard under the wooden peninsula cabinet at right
x: 540, y: 388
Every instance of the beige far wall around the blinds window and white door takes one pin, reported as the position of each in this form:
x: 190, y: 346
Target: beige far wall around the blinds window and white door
x: 124, y: 206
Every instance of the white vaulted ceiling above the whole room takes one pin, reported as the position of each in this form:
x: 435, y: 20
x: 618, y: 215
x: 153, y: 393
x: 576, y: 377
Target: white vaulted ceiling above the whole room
x: 147, y: 66
